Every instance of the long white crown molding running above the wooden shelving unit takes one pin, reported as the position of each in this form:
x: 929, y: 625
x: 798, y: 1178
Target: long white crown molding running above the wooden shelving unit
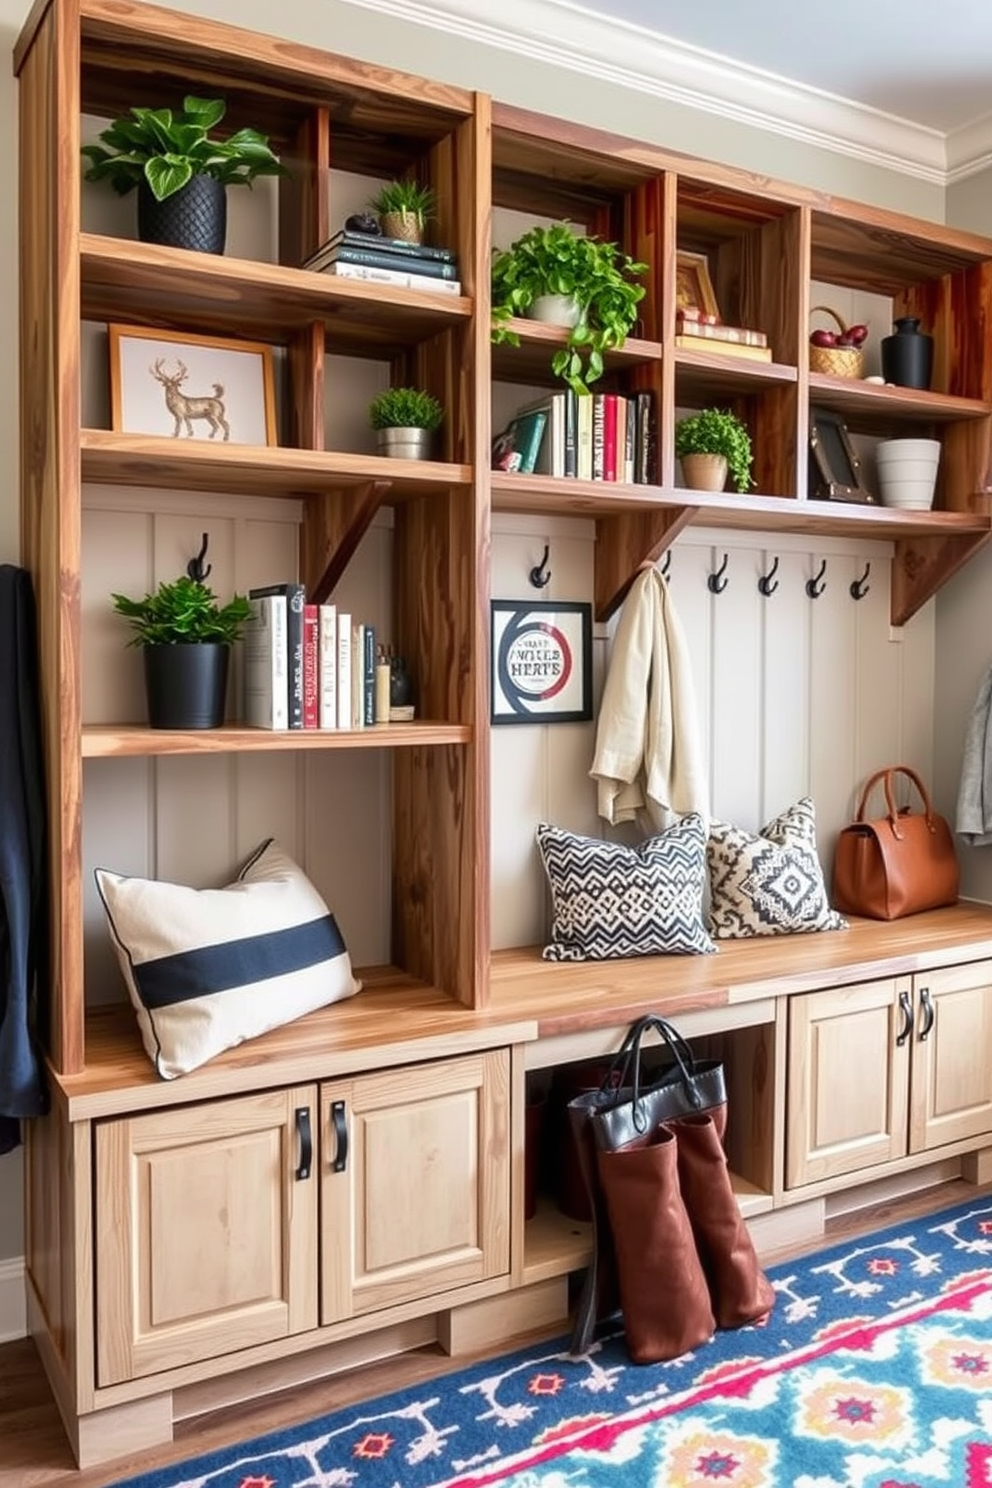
x: 566, y: 35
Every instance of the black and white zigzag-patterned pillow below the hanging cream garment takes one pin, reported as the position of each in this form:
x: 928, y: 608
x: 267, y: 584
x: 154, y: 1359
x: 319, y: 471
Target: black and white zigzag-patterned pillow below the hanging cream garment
x: 612, y: 901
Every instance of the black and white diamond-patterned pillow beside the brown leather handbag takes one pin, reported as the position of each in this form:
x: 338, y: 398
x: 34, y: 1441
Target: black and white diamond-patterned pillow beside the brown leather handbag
x: 771, y: 883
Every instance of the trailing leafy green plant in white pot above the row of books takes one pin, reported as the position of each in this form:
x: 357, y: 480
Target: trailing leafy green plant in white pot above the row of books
x: 594, y: 294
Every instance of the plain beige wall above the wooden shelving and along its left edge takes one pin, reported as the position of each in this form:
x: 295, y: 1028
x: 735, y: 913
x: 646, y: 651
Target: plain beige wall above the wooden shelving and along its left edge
x: 529, y: 84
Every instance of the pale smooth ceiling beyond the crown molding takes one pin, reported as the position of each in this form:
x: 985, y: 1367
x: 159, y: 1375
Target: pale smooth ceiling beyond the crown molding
x: 920, y: 62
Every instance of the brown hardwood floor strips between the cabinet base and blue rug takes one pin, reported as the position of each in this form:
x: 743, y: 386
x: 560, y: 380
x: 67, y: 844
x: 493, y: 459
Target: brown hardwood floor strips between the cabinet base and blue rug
x: 33, y: 1447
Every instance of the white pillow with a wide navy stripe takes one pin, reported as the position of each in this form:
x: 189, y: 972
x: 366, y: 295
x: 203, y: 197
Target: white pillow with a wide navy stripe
x: 210, y: 968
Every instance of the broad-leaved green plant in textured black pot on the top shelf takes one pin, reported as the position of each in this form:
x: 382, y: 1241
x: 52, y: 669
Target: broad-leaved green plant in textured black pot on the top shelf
x: 181, y: 170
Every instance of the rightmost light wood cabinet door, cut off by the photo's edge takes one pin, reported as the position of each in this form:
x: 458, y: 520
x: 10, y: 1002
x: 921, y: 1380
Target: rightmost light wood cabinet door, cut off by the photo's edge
x: 953, y: 1056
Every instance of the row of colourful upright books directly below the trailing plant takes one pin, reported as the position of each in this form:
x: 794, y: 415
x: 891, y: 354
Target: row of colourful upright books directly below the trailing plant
x: 602, y: 437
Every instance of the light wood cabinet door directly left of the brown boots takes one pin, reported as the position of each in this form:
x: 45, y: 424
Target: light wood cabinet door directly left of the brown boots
x: 416, y: 1182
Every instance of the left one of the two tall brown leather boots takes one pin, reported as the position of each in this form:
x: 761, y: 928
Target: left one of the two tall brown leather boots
x: 664, y: 1292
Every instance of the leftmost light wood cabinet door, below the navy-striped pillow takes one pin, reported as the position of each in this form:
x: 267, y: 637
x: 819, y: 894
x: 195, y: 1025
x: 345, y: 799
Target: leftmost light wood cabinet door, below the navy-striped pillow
x: 206, y: 1231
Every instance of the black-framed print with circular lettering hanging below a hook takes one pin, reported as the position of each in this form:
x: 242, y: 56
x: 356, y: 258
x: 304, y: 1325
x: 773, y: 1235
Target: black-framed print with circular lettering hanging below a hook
x: 541, y: 661
